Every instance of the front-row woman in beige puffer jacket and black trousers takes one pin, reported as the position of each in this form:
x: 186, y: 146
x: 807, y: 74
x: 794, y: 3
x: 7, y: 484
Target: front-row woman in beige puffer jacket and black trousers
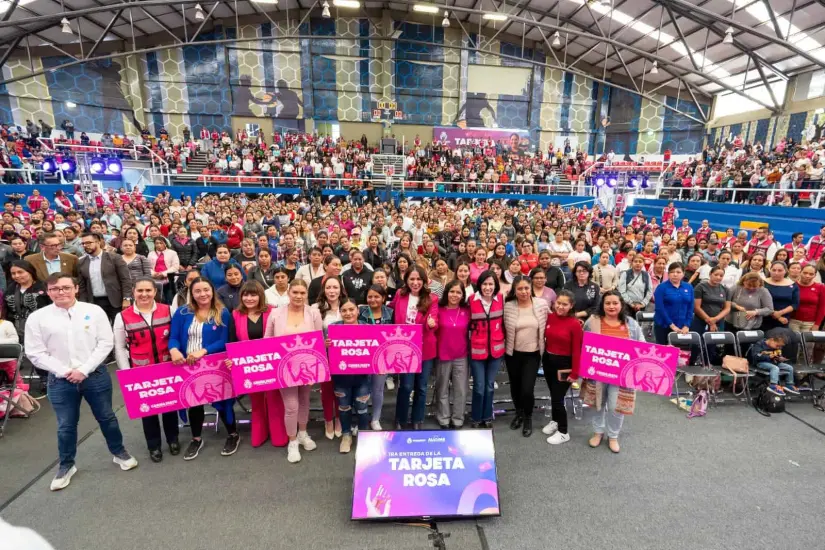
x: 525, y: 318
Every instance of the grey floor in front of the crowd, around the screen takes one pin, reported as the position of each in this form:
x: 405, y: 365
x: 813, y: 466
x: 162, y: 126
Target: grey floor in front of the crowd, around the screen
x: 732, y: 480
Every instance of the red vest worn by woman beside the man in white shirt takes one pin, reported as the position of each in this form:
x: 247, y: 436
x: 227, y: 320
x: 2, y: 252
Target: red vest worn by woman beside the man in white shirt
x: 148, y: 345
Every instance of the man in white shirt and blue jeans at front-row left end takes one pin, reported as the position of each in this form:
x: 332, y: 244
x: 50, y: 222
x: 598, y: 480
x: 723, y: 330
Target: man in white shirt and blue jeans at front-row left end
x: 71, y: 340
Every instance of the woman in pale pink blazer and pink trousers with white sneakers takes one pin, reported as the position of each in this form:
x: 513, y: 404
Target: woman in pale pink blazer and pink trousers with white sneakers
x: 296, y: 318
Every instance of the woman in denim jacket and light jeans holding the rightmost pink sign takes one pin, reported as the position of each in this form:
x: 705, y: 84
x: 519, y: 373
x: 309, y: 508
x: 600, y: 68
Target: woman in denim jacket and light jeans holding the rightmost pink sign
x: 611, y: 403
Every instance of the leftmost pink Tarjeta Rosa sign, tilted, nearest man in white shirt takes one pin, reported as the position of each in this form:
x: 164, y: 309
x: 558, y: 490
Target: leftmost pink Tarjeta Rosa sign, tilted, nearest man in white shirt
x: 168, y: 387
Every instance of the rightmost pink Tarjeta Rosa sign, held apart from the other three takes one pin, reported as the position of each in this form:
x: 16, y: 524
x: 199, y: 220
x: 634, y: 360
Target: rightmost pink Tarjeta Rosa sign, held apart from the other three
x: 638, y: 365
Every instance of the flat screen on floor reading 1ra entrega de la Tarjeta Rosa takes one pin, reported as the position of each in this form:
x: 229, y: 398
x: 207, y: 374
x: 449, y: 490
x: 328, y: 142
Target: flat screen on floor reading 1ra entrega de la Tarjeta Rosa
x: 425, y: 474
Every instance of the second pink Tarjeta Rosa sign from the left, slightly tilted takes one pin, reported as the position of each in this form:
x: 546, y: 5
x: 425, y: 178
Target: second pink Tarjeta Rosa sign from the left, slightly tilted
x: 280, y: 362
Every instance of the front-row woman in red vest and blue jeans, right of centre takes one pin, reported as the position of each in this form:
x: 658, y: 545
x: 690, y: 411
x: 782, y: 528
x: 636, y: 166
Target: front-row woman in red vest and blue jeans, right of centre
x: 486, y: 346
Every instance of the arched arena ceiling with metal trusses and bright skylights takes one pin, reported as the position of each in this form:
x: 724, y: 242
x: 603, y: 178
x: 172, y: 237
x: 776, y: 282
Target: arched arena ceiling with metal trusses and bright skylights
x: 701, y: 47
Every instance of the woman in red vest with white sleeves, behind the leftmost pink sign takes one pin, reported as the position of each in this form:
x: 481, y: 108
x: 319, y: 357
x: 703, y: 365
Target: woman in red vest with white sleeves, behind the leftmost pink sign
x: 141, y: 339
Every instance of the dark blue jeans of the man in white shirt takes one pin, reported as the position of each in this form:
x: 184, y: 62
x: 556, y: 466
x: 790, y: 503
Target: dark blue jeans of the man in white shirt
x: 66, y: 397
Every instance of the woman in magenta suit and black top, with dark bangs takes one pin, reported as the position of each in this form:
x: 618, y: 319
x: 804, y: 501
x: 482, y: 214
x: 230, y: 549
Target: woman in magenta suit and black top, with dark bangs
x: 249, y: 322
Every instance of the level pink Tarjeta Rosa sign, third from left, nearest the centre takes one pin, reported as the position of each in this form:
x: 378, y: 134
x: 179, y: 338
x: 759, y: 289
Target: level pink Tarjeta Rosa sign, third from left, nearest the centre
x: 375, y: 349
